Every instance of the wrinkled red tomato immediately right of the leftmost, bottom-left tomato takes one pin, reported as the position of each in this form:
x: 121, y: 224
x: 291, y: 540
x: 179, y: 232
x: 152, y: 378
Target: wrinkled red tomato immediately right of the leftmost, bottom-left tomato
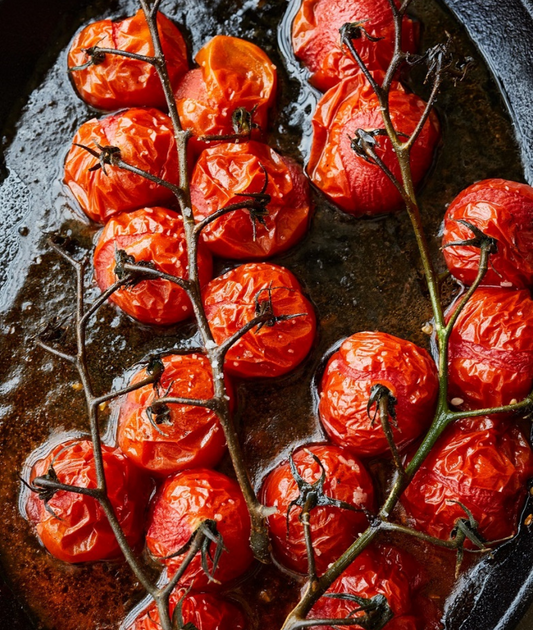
x: 182, y: 504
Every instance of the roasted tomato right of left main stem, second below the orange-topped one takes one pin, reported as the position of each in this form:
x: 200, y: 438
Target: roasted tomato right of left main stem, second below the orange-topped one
x: 230, y: 303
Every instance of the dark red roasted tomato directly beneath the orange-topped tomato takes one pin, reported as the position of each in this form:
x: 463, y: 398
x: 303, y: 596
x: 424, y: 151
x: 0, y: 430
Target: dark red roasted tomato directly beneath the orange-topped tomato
x: 229, y: 170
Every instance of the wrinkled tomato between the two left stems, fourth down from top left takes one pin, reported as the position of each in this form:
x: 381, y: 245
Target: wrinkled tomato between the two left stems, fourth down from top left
x: 192, y: 438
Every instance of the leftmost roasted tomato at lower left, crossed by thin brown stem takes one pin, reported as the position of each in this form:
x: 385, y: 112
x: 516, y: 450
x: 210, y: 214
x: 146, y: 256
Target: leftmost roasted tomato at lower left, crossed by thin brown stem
x: 73, y: 527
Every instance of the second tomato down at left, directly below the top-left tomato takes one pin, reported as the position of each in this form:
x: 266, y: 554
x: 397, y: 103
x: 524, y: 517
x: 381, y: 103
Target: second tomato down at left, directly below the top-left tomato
x: 146, y: 140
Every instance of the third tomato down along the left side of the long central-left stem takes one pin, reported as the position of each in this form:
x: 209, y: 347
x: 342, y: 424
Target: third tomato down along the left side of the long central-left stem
x: 155, y: 235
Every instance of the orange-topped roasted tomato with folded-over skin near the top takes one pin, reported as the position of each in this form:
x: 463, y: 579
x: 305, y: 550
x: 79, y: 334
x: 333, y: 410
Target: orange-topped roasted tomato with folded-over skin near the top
x: 235, y: 79
